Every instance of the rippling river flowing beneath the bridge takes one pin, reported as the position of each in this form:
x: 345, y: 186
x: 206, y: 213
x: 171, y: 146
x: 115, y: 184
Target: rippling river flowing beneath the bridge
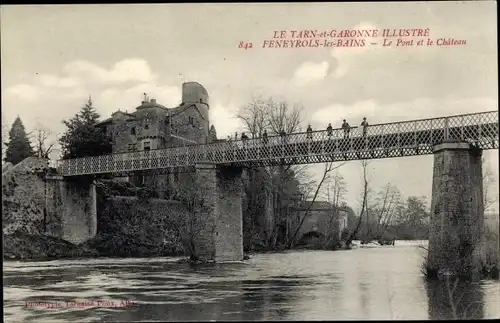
x: 377, y: 283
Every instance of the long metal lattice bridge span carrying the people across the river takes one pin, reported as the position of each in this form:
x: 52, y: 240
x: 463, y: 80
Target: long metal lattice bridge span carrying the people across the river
x: 416, y: 137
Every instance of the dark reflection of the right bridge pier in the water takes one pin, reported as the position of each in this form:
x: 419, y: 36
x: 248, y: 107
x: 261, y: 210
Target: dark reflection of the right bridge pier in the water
x: 453, y: 300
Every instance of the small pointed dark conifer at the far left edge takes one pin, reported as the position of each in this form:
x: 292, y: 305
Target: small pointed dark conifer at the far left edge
x: 19, y: 146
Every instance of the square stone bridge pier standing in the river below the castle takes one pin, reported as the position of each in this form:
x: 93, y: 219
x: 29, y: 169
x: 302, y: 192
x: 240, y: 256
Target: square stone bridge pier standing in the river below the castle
x: 218, y: 233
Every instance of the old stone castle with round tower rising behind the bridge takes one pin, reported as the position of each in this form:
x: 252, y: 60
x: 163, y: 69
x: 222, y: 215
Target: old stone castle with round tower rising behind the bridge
x: 154, y: 126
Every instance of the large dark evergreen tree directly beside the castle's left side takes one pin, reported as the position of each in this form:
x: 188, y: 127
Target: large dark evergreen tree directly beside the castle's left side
x: 82, y: 138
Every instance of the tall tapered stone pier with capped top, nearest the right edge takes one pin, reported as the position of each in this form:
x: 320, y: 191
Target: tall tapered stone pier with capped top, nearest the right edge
x: 457, y: 210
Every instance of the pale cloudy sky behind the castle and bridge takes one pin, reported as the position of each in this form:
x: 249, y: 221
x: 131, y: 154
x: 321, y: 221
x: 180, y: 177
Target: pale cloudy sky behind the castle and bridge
x: 54, y: 57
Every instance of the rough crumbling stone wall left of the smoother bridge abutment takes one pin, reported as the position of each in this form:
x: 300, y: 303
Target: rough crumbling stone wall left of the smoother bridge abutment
x: 23, y: 197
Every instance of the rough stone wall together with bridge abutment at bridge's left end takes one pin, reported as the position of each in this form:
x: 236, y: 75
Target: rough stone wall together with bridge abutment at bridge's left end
x: 36, y: 203
